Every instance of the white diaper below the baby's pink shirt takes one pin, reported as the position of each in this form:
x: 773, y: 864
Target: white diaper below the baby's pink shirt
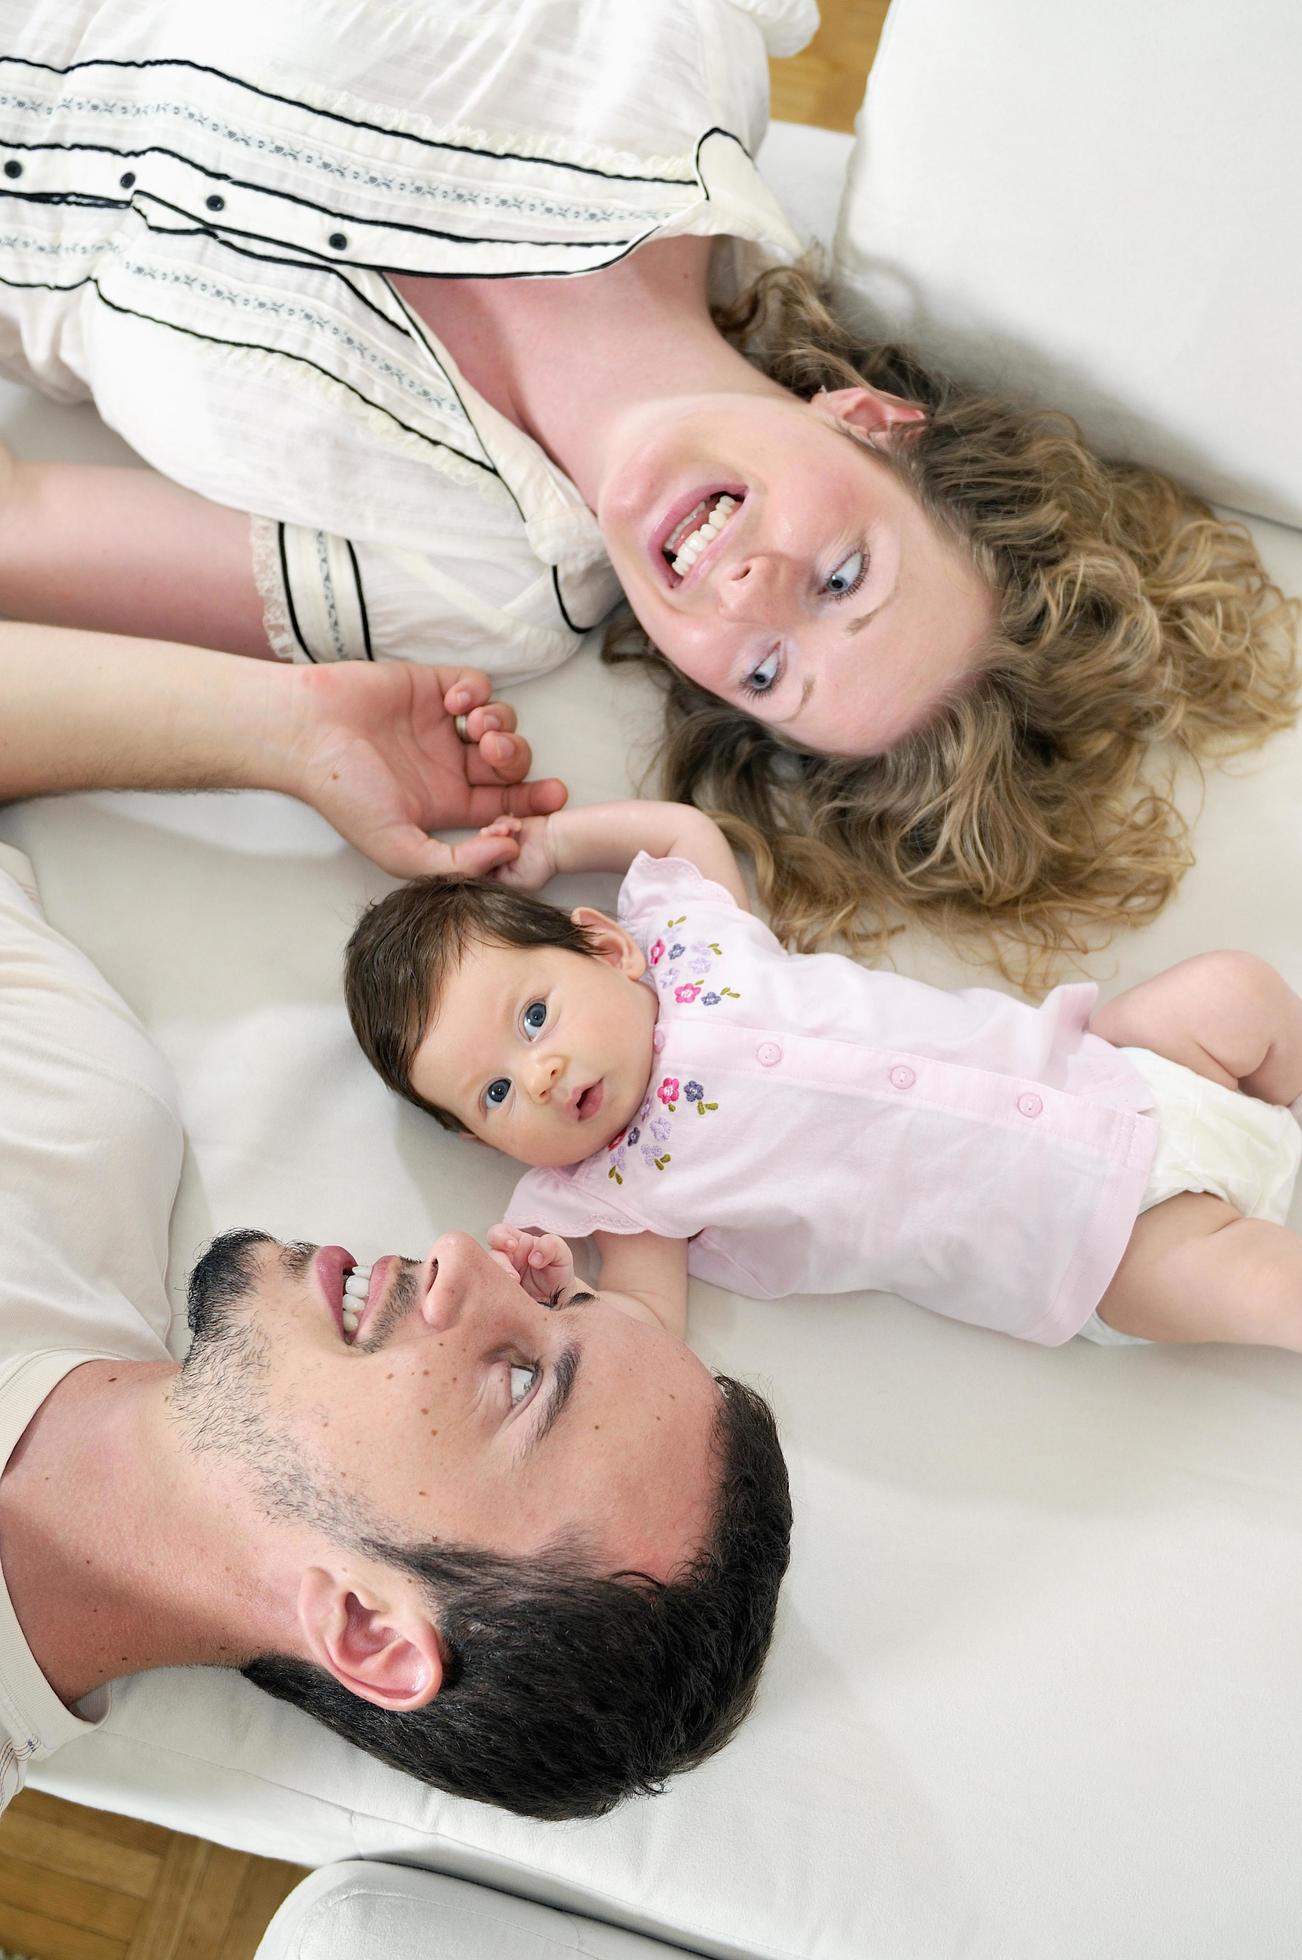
x: 1213, y: 1140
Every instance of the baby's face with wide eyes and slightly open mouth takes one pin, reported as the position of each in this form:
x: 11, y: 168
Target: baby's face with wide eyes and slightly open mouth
x: 540, y: 1052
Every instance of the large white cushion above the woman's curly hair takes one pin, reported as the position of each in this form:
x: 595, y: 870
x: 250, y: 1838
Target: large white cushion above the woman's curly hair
x: 1099, y: 209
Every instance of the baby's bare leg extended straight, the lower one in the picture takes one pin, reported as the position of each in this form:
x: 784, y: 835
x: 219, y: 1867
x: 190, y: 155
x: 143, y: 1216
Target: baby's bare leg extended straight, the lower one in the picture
x: 1199, y: 1271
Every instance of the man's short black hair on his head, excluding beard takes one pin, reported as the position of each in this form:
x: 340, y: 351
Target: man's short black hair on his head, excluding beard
x: 570, y: 1690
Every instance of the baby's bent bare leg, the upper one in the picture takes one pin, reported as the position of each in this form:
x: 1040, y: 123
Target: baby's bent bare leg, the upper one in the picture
x: 1227, y: 1016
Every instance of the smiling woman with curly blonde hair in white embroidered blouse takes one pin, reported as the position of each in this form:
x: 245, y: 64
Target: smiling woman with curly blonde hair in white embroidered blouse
x: 452, y: 338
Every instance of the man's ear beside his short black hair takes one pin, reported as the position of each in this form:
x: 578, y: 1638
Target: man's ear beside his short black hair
x: 377, y: 1643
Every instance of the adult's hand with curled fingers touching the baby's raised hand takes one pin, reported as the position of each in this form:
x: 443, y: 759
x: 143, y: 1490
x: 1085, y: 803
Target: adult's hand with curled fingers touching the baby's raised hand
x: 377, y: 752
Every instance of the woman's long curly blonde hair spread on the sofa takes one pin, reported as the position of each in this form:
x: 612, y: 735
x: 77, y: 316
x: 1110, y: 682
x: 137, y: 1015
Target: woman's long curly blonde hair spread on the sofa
x: 1034, y: 807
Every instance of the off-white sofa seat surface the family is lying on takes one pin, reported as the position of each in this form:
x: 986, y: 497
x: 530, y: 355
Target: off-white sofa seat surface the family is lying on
x: 1038, y: 1681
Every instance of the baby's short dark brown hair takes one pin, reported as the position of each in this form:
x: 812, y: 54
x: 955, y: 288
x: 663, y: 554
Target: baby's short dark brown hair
x: 407, y: 948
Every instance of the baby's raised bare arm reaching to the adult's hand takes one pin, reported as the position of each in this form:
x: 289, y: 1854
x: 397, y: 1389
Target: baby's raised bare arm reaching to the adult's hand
x: 611, y: 836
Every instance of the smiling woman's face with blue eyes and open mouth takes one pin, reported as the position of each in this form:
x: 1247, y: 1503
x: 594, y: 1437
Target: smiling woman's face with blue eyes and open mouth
x: 823, y: 603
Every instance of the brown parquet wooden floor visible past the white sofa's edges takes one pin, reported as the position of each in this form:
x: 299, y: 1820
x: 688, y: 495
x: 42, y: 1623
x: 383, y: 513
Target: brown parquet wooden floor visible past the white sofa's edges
x: 87, y: 1886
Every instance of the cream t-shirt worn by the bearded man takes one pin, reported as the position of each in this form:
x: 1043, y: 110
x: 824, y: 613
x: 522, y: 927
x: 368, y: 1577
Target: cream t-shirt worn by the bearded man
x: 89, y: 1163
